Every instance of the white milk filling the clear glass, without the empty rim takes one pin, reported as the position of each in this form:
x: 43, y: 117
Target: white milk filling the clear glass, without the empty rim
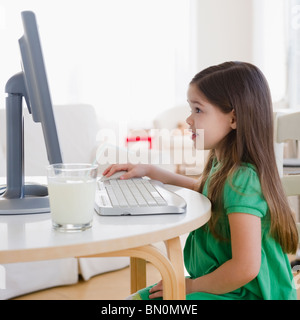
x: 71, y: 201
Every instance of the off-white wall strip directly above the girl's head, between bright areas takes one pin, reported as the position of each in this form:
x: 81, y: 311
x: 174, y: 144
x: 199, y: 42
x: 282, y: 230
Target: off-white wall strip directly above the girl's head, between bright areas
x: 224, y: 31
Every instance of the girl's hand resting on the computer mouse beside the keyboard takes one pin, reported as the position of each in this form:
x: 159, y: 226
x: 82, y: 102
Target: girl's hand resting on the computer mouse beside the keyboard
x: 133, y: 171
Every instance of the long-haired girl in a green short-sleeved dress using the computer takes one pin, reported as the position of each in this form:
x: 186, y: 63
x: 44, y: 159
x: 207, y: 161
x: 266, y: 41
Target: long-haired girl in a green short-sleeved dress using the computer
x: 241, y: 252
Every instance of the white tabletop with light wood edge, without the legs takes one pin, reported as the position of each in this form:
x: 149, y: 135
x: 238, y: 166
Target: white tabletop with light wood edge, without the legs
x: 31, y: 237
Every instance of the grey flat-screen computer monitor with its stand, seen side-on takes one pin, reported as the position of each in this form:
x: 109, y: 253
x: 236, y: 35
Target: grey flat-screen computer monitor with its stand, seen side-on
x: 32, y: 85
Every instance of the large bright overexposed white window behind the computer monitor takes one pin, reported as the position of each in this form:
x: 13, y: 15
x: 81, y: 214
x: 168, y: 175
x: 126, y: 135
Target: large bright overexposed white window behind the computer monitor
x: 130, y: 59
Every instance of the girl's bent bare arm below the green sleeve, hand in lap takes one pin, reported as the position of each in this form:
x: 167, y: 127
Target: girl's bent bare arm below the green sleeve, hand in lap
x: 242, y: 268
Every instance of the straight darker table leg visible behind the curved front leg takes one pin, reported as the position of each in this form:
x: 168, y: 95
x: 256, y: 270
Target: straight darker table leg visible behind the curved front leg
x: 137, y: 274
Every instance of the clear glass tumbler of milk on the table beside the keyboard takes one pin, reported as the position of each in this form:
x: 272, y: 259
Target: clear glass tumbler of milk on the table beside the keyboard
x: 72, y: 190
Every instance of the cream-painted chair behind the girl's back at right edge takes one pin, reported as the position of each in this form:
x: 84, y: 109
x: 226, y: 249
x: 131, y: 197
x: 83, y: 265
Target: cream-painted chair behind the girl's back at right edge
x: 287, y: 128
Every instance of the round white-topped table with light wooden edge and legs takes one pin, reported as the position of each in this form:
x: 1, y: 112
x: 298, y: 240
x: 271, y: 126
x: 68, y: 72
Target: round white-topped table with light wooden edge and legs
x: 31, y: 238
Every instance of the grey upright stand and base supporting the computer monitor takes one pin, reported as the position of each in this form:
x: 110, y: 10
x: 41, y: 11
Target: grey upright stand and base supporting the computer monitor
x: 18, y: 197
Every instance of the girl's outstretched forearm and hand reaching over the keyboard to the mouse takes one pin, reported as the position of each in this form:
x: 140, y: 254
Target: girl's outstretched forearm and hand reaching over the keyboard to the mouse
x: 153, y: 172
